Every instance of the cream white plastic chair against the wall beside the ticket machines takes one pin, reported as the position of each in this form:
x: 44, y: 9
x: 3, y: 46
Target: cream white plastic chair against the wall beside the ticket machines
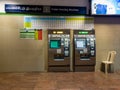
x: 110, y: 60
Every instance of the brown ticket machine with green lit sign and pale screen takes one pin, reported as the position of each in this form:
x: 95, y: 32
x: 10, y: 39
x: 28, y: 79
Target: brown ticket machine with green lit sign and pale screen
x: 84, y: 50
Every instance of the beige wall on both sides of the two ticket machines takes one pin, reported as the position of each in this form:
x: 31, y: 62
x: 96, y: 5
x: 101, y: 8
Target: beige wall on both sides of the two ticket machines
x: 18, y: 55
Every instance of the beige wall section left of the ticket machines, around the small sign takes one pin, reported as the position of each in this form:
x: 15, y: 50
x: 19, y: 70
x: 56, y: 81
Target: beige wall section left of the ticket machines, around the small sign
x: 19, y: 54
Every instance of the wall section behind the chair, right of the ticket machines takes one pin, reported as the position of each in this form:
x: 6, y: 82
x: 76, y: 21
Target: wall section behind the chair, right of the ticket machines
x: 107, y: 38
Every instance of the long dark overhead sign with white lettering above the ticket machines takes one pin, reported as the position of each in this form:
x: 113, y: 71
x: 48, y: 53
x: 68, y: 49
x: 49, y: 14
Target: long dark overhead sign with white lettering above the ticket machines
x: 37, y: 9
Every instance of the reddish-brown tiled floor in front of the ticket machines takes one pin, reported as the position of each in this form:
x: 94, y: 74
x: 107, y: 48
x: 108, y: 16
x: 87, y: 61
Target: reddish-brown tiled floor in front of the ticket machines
x: 60, y: 81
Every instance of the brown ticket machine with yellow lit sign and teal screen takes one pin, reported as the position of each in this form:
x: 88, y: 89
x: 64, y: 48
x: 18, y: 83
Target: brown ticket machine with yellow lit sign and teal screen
x: 58, y: 50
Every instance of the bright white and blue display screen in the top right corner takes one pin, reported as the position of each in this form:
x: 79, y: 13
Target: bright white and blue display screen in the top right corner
x: 105, y: 7
